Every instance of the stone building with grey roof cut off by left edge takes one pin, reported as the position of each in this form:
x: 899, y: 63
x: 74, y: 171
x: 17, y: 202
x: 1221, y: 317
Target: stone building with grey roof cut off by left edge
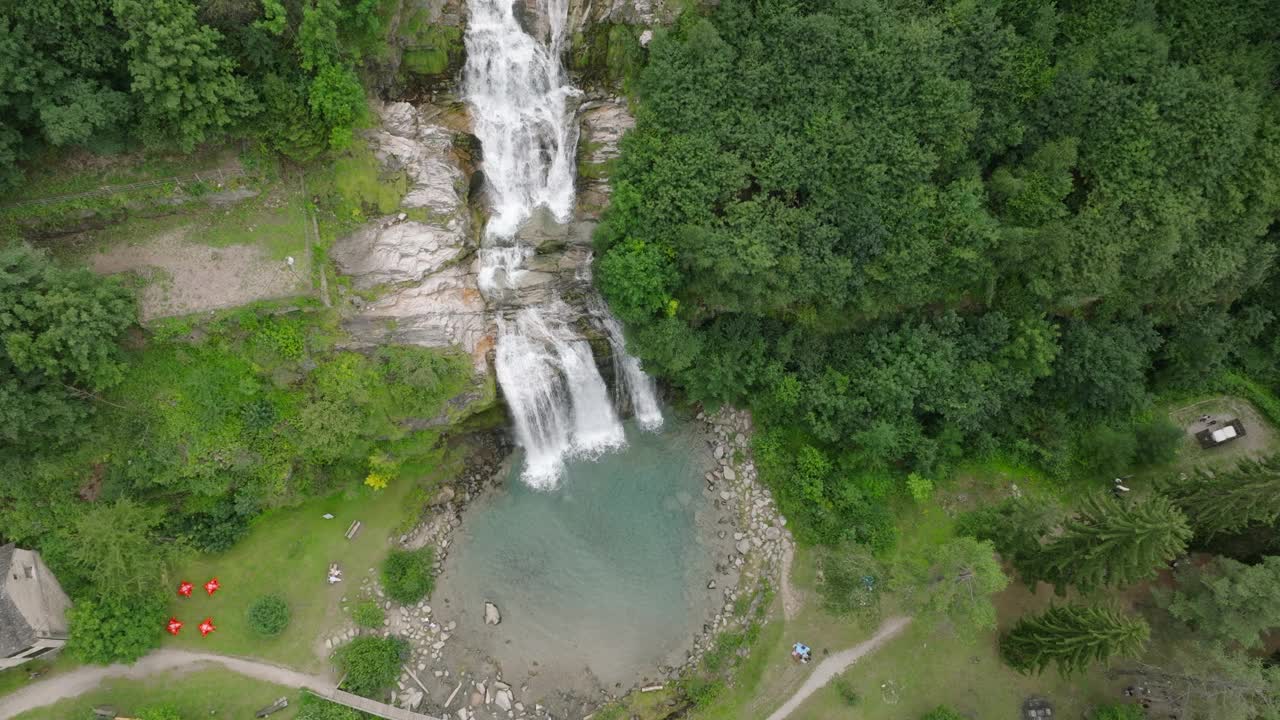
x: 33, y: 608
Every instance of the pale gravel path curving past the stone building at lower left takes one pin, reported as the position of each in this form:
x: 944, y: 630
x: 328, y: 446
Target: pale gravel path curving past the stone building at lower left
x: 85, y: 680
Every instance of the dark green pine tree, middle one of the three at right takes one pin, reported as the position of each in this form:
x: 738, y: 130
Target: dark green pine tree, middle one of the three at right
x: 1114, y: 544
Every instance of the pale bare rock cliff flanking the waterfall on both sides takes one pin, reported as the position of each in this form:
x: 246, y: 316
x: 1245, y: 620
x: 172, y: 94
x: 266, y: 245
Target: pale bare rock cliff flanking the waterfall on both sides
x: 415, y: 271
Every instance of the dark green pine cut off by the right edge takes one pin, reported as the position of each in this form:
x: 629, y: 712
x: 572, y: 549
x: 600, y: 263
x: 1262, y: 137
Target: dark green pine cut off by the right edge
x: 1233, y: 500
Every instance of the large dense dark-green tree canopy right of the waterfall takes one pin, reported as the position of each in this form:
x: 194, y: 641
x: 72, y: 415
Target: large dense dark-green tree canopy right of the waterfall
x: 904, y: 233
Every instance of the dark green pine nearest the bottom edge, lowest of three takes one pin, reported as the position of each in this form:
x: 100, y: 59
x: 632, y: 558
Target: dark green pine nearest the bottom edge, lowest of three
x: 1072, y: 637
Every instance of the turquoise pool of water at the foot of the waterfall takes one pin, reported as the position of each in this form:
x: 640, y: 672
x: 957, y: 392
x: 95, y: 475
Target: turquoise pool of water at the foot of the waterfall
x: 605, y: 576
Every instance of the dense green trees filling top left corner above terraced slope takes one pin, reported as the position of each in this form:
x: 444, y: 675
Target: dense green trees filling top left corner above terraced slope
x: 177, y: 74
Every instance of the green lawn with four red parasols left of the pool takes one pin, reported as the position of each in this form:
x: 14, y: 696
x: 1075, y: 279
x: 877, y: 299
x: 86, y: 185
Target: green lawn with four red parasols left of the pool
x: 289, y: 554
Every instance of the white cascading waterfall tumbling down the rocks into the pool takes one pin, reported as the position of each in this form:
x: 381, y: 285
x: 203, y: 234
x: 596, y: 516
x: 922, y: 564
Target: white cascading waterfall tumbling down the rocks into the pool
x: 523, y: 104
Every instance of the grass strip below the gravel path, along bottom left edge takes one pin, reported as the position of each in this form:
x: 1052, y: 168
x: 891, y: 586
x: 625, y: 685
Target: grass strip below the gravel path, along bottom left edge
x: 200, y: 694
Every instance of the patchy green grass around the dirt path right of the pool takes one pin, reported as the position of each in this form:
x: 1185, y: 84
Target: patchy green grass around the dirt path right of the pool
x: 924, y: 668
